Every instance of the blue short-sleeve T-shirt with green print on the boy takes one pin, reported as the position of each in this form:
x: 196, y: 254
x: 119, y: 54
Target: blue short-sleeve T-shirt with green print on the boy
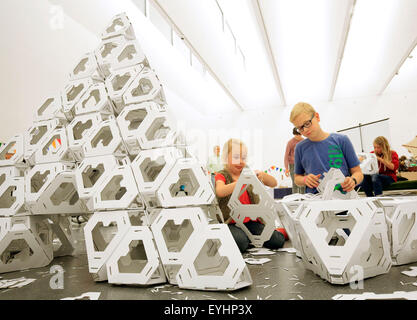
x: 336, y: 151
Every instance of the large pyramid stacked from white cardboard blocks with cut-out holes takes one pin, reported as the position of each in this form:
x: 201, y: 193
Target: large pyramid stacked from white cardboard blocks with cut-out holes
x: 107, y: 146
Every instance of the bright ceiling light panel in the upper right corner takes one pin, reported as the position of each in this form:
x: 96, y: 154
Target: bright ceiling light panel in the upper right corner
x: 381, y: 32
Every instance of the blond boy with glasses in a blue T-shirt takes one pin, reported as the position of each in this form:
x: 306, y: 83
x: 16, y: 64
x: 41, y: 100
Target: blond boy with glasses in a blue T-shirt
x: 321, y: 151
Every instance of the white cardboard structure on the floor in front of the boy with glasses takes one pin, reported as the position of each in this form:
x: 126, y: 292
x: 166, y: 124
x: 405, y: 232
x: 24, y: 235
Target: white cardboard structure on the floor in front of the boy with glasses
x: 351, y: 238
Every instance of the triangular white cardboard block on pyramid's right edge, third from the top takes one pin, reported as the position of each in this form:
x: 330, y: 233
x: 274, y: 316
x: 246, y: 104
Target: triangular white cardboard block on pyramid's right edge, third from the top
x: 145, y: 87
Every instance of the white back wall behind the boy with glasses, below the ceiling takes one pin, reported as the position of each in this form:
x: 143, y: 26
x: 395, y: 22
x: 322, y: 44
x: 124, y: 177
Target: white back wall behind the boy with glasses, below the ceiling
x: 274, y: 129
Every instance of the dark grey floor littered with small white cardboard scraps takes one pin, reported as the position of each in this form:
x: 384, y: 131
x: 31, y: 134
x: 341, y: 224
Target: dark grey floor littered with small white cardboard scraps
x: 271, y: 281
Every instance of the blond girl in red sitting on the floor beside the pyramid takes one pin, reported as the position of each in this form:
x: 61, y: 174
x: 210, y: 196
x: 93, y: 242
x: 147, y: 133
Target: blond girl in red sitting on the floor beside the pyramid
x: 234, y: 158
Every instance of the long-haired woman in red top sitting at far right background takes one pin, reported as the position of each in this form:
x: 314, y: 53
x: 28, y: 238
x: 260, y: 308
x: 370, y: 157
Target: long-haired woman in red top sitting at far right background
x: 388, y: 164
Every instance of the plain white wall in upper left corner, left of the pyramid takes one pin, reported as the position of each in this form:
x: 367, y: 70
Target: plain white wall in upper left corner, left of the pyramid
x: 39, y: 47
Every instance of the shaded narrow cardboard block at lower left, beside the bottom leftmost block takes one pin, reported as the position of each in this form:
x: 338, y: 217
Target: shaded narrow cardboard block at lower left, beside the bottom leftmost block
x: 61, y: 228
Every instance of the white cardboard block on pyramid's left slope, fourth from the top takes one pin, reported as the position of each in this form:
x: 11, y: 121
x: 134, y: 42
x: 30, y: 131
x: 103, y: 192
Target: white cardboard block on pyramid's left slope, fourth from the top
x: 72, y: 93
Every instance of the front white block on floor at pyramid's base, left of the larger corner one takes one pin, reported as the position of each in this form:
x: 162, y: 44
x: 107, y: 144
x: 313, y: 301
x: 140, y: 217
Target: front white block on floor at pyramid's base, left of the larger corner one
x: 136, y: 260
